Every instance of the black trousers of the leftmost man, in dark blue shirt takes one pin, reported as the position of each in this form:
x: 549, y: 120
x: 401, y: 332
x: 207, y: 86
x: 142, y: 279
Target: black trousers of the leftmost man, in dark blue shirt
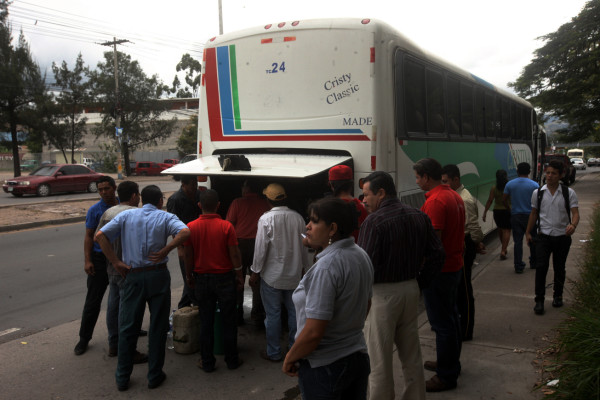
x: 97, y: 285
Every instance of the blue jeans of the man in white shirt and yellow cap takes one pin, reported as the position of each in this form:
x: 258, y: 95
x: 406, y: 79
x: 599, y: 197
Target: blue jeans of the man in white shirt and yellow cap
x: 272, y: 299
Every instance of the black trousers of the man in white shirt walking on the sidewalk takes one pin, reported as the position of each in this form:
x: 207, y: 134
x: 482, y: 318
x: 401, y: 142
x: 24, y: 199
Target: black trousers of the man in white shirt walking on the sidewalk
x: 559, y: 247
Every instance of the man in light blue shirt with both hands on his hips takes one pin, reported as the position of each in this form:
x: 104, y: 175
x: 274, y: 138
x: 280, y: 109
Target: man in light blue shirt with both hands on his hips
x: 144, y: 233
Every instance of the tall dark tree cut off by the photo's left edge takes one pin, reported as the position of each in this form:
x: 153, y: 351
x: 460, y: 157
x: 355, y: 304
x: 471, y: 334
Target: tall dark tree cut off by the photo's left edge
x: 21, y: 82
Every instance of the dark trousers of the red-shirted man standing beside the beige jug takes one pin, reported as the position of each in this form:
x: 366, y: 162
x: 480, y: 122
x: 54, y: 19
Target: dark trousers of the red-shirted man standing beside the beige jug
x: 211, y: 288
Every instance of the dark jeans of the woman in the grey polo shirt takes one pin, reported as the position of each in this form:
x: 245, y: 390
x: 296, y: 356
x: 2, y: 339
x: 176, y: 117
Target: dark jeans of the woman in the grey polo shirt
x: 346, y: 378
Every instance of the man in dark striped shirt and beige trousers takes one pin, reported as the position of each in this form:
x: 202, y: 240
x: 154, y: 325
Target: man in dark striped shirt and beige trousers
x: 404, y: 249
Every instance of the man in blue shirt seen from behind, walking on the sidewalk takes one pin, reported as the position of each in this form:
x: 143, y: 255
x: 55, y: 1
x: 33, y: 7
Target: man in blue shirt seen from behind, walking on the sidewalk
x: 519, y: 191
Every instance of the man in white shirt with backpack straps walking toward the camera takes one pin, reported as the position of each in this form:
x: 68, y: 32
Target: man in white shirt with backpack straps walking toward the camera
x: 555, y: 215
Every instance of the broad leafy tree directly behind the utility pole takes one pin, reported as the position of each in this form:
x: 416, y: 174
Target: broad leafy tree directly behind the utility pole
x: 141, y: 112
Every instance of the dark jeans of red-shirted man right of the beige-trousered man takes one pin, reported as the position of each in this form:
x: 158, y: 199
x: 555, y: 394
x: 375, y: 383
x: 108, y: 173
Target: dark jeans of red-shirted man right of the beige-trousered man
x: 440, y: 303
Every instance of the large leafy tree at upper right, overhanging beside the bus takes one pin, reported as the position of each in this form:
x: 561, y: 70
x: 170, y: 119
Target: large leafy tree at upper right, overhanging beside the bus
x: 563, y: 79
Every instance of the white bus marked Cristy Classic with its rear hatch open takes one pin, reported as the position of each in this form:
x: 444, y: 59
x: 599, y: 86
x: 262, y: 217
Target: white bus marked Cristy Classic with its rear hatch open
x: 297, y: 98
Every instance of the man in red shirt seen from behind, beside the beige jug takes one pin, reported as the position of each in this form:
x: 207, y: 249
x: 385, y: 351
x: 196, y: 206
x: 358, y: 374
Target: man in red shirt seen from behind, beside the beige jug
x: 213, y: 268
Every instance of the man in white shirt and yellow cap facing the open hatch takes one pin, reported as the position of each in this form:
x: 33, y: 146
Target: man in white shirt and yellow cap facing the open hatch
x: 279, y: 261
